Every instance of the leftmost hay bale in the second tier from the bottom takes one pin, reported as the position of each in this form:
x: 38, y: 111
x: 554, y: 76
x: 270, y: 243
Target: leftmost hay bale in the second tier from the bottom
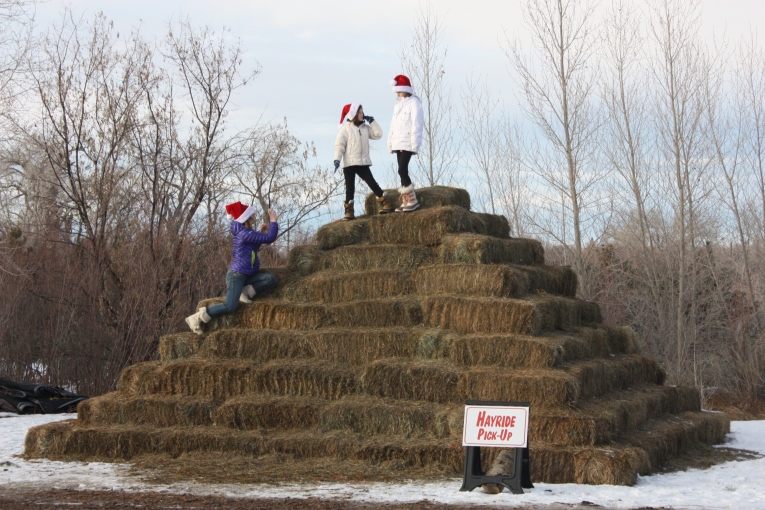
x: 118, y: 408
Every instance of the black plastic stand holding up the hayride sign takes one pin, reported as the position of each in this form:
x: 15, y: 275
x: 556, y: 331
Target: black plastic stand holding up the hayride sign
x: 475, y: 476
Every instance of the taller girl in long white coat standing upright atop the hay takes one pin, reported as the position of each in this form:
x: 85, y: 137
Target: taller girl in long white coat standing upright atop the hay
x: 405, y: 137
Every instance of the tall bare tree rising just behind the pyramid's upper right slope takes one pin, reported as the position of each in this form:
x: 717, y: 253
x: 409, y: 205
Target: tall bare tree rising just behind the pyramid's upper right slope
x: 558, y: 86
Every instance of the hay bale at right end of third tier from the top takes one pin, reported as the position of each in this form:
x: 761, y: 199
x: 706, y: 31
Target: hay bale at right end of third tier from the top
x: 472, y: 248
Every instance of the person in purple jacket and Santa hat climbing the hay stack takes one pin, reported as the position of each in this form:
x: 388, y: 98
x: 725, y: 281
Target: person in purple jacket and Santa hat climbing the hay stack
x: 243, y: 280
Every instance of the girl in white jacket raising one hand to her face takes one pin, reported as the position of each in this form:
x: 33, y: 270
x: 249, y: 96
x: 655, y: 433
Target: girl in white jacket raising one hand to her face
x: 352, y: 146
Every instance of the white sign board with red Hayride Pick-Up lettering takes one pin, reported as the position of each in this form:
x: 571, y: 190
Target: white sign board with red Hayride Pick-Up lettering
x: 496, y: 426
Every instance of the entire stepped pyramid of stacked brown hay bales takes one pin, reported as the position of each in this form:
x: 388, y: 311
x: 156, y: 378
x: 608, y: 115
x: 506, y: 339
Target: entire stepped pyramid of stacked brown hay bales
x: 369, y: 346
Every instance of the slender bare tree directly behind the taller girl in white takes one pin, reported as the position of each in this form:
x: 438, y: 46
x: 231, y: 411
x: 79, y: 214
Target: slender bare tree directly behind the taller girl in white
x: 423, y: 60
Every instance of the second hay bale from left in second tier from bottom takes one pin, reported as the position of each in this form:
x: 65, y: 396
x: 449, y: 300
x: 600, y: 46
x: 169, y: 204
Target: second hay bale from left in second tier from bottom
x: 283, y: 413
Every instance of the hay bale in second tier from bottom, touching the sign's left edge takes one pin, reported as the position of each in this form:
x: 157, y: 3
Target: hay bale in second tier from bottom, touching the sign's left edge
x: 375, y: 416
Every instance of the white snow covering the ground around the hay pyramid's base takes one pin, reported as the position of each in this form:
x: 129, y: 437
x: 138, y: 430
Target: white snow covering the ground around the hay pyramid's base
x: 739, y: 485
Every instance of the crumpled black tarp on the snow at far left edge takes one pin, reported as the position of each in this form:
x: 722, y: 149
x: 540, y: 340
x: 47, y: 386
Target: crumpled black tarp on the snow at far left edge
x: 25, y: 398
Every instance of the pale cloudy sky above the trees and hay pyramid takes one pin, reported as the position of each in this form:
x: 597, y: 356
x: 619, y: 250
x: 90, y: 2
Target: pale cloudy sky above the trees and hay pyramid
x: 317, y: 55
